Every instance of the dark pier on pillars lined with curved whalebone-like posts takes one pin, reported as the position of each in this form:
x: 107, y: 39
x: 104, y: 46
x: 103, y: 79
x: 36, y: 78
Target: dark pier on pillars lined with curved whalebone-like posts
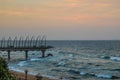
x: 27, y: 44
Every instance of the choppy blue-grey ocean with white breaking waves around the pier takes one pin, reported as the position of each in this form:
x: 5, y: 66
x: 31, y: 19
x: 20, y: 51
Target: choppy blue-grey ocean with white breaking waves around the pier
x: 72, y: 60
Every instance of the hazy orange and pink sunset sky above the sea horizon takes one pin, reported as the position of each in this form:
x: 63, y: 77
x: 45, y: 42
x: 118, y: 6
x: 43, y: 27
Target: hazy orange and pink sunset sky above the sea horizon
x: 61, y: 19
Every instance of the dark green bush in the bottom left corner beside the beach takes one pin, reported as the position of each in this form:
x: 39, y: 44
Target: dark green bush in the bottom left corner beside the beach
x: 4, y: 71
